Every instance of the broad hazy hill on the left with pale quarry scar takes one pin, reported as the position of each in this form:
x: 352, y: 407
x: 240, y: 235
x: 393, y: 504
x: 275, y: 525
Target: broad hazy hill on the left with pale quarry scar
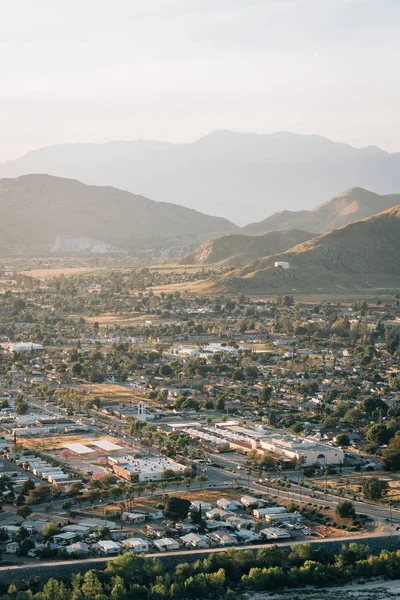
x: 41, y: 214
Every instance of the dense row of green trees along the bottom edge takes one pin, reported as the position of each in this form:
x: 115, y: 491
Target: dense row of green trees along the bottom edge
x: 219, y: 575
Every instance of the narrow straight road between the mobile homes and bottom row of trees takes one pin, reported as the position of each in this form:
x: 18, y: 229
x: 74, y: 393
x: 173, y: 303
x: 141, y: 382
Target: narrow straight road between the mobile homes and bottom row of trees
x: 206, y: 551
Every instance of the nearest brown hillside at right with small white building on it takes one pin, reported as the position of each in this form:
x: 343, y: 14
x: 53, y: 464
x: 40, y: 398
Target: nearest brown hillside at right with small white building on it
x: 363, y: 254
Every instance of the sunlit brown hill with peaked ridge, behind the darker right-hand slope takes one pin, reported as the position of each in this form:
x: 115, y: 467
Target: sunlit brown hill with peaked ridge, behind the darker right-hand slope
x: 352, y: 205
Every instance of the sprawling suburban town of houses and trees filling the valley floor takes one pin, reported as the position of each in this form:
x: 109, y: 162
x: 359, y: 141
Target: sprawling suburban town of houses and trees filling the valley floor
x: 142, y: 421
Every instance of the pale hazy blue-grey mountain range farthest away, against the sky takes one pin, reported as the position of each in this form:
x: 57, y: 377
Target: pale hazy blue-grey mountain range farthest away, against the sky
x: 241, y: 176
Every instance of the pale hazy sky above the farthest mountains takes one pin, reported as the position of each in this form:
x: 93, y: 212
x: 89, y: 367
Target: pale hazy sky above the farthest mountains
x: 99, y: 70
